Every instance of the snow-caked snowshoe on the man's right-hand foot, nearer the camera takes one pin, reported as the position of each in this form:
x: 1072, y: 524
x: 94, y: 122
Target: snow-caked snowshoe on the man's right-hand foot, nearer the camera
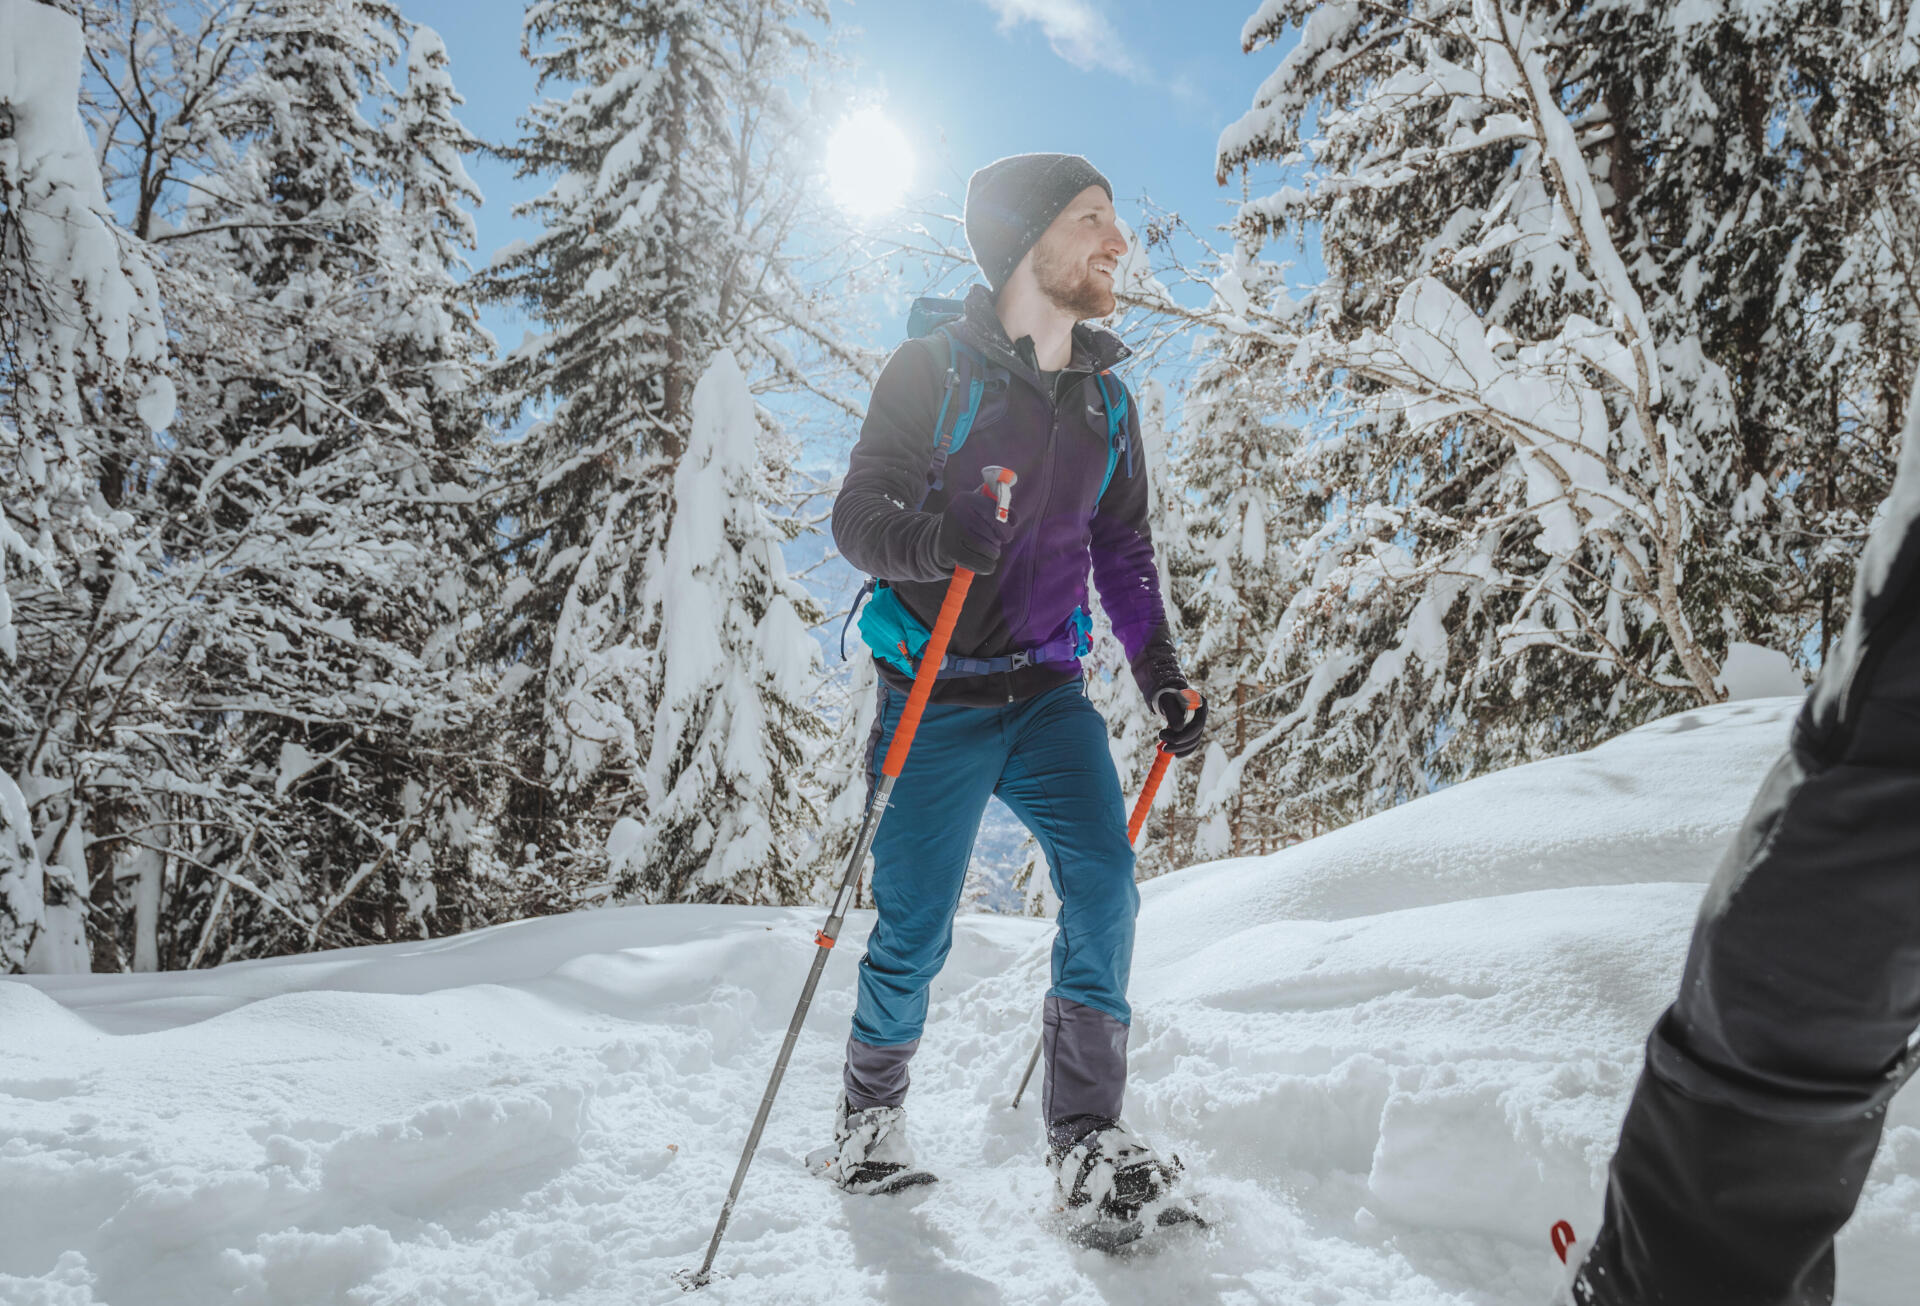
x: 1116, y: 1190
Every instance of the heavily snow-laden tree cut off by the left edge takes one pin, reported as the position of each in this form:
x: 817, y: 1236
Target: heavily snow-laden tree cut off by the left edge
x: 84, y: 385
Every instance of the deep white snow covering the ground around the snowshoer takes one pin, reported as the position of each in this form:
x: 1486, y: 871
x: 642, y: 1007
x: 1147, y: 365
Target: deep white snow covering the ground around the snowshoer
x: 1391, y: 1057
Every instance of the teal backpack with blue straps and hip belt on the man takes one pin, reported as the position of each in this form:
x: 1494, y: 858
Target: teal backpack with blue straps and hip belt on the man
x: 888, y: 629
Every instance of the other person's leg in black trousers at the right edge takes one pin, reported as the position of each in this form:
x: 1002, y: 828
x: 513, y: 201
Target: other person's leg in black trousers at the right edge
x: 1767, y: 1082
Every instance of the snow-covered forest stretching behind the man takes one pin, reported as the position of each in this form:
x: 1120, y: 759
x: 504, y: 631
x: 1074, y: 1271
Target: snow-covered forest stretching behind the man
x: 1541, y: 377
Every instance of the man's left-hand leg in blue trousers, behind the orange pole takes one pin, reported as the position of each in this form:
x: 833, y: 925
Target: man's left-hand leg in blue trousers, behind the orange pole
x: 921, y: 858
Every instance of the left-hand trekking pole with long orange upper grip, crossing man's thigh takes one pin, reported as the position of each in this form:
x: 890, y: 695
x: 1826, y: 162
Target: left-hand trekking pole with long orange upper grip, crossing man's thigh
x: 999, y: 483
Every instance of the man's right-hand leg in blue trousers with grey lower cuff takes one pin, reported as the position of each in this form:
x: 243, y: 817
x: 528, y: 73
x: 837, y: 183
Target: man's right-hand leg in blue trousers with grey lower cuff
x: 1061, y: 783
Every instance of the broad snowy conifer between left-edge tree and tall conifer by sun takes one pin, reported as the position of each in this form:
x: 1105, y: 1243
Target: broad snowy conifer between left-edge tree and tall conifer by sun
x: 324, y: 487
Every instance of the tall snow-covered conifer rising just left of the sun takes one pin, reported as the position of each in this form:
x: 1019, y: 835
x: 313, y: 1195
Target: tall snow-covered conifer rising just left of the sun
x: 673, y: 231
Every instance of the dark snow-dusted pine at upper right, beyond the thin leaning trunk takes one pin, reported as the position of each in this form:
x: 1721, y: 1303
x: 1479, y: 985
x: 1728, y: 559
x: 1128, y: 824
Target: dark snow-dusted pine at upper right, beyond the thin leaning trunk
x: 1792, y: 135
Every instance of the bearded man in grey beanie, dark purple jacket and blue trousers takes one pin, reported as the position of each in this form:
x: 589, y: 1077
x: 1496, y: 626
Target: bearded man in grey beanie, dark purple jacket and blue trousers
x: 1015, y: 719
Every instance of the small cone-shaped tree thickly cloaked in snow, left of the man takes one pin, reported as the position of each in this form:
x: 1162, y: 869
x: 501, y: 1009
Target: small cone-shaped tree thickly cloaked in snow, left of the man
x: 723, y: 788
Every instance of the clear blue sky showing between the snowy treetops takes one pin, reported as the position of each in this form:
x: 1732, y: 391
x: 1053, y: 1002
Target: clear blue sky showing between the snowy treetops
x: 1141, y: 87
